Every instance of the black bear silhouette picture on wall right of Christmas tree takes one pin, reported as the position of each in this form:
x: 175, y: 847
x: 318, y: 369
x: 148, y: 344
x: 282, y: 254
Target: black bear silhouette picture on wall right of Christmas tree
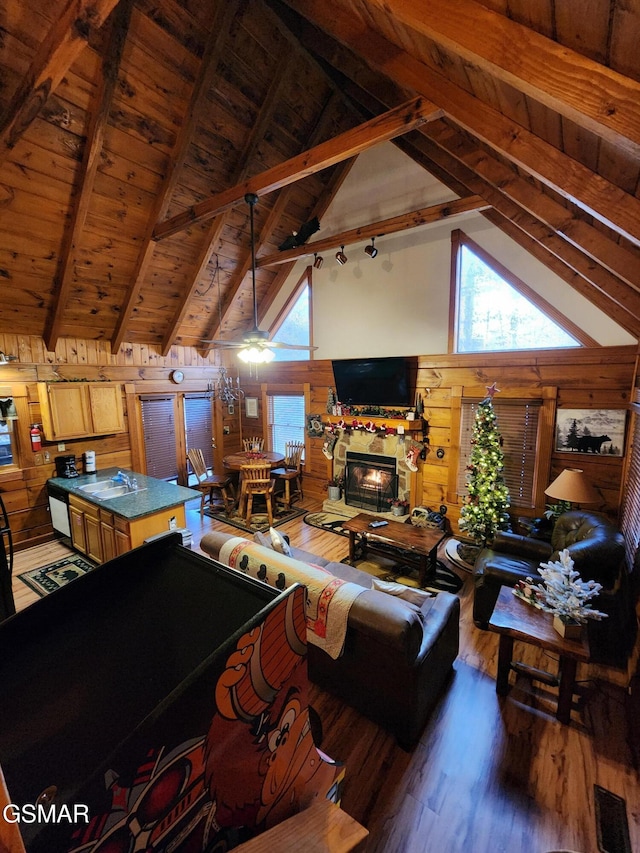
x: 596, y: 431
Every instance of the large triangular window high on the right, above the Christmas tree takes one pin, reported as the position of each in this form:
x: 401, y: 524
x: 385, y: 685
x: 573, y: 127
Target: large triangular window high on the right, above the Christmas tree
x: 497, y: 311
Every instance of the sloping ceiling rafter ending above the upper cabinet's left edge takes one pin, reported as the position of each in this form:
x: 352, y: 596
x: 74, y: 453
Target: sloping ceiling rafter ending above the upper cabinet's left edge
x: 118, y: 24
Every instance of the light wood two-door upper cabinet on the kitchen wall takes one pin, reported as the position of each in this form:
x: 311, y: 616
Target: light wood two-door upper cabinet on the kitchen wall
x: 80, y: 409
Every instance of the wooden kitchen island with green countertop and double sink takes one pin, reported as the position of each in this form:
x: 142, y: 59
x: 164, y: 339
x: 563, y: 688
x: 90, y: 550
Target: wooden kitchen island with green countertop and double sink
x: 104, y: 527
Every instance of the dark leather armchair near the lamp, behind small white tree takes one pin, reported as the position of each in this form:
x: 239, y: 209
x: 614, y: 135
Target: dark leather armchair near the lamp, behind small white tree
x: 597, y: 550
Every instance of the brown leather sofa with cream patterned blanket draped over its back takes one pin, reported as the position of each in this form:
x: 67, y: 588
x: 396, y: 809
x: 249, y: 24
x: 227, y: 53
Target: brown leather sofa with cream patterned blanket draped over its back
x: 397, y: 655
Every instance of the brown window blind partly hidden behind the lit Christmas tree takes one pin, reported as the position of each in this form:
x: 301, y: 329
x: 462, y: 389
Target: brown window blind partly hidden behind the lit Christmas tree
x: 517, y: 423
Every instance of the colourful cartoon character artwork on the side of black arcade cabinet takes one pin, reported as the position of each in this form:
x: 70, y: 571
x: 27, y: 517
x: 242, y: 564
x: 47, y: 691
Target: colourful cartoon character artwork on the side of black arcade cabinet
x: 256, y: 765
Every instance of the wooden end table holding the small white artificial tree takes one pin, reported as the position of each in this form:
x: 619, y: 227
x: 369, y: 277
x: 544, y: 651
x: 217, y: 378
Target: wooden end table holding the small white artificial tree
x: 514, y: 619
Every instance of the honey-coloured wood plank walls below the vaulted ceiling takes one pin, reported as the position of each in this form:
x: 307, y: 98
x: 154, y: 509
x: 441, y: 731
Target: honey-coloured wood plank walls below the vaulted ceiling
x: 598, y: 378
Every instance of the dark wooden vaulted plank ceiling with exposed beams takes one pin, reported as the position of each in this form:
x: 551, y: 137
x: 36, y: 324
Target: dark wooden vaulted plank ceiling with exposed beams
x: 132, y: 130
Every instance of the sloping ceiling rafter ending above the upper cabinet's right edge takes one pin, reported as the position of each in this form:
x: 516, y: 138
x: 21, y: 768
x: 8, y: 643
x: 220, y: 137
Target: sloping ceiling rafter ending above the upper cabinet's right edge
x: 225, y: 13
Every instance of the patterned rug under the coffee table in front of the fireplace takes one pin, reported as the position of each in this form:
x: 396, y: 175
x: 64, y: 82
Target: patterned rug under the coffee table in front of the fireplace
x: 388, y: 568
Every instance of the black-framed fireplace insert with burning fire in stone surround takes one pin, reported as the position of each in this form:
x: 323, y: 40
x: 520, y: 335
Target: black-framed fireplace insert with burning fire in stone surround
x: 370, y: 481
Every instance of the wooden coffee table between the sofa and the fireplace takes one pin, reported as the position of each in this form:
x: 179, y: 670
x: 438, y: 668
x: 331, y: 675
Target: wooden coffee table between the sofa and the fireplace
x: 419, y: 541
